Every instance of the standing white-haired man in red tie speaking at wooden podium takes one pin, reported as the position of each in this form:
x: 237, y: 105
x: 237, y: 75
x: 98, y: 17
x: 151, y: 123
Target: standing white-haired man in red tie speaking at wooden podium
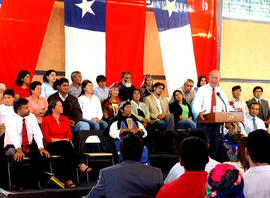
x: 210, y: 98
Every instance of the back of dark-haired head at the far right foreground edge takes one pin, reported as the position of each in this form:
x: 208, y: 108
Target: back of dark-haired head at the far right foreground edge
x: 258, y: 145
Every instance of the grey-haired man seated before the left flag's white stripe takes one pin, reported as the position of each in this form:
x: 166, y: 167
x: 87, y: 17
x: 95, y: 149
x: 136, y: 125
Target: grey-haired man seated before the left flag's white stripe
x: 75, y: 87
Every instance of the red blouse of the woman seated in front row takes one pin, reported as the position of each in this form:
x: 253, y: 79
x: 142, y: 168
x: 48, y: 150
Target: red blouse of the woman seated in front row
x: 51, y: 129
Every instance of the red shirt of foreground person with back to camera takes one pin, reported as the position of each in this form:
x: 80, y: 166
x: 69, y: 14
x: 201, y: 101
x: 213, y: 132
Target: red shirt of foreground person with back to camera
x: 192, y: 184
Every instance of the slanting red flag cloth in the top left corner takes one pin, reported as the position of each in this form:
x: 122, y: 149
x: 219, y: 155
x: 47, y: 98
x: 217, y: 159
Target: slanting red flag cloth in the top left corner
x: 22, y: 28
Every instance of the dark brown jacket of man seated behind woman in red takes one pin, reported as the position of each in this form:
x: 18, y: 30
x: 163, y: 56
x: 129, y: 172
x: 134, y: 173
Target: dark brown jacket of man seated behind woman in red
x: 71, y: 106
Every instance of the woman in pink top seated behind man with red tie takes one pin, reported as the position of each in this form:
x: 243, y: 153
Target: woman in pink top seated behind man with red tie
x: 37, y: 105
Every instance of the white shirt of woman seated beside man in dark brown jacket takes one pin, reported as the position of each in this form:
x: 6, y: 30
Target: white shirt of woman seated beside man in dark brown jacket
x: 91, y: 108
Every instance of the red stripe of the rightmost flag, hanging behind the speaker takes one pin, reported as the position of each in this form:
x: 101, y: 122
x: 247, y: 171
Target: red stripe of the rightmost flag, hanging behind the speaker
x: 204, y: 34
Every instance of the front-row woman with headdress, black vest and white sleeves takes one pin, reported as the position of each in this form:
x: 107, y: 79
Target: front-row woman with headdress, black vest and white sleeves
x: 125, y: 123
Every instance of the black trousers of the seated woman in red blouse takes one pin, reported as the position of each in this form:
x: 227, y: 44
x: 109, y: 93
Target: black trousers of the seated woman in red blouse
x: 67, y: 163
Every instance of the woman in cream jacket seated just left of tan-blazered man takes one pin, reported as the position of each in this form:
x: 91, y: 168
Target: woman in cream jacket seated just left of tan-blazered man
x: 139, y: 109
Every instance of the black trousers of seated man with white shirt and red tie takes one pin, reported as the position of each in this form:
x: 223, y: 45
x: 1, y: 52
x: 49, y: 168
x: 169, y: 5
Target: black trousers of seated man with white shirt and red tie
x: 36, y: 162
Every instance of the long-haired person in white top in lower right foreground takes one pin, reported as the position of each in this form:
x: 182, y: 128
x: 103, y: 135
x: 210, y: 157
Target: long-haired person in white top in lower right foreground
x: 241, y: 162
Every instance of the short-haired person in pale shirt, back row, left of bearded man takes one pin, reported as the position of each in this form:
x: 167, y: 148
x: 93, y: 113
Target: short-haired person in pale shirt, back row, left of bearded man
x: 102, y: 92
